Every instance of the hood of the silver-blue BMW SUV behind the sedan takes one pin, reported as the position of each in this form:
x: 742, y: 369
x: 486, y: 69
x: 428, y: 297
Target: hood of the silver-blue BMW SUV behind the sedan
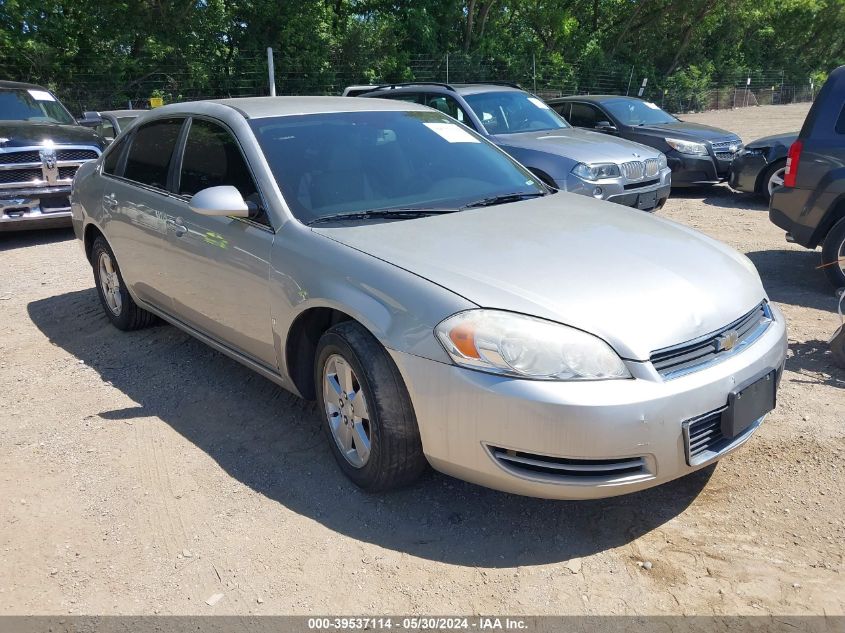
x: 580, y: 145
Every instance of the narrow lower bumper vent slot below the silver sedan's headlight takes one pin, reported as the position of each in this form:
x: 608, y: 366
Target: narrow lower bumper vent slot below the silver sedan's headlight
x: 562, y: 468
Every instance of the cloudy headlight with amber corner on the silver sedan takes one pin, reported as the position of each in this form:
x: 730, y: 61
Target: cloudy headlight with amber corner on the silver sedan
x: 527, y: 347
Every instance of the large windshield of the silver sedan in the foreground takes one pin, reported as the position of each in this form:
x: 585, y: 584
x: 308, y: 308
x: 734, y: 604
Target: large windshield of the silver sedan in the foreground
x: 348, y: 162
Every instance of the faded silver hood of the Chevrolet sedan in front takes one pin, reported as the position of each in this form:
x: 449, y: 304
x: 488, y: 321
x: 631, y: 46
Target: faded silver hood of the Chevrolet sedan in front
x: 640, y: 282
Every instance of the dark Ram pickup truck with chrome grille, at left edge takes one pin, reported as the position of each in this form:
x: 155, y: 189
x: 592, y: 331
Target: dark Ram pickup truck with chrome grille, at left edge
x: 41, y: 147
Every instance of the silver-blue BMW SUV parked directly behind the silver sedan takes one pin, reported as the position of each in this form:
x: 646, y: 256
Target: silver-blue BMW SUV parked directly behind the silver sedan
x: 564, y: 157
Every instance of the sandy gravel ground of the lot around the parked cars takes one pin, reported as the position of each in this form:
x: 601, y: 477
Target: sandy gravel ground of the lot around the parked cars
x: 143, y: 473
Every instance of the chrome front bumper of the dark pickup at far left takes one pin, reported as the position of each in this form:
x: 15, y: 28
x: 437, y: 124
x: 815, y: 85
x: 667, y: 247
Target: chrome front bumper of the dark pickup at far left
x: 35, y: 209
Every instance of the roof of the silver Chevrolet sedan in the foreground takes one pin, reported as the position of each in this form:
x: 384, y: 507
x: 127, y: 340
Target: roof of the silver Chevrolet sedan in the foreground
x: 263, y: 107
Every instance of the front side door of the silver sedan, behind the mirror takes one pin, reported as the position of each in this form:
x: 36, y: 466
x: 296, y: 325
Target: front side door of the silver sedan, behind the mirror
x: 218, y: 267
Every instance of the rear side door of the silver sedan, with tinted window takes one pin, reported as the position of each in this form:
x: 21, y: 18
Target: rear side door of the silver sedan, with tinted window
x: 136, y: 203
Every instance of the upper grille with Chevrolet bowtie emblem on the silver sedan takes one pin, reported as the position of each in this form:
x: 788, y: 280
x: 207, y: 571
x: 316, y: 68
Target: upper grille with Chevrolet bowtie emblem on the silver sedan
x: 672, y: 362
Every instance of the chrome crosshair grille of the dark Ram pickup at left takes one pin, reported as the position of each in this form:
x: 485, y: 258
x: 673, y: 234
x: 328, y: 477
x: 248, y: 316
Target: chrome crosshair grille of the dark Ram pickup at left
x: 24, y: 166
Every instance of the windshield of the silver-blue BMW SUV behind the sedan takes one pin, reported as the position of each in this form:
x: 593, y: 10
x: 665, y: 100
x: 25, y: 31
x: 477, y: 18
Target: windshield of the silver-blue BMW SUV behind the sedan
x: 511, y: 112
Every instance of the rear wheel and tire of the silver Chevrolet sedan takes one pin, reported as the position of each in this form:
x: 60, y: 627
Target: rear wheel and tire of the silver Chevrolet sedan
x: 119, y: 307
